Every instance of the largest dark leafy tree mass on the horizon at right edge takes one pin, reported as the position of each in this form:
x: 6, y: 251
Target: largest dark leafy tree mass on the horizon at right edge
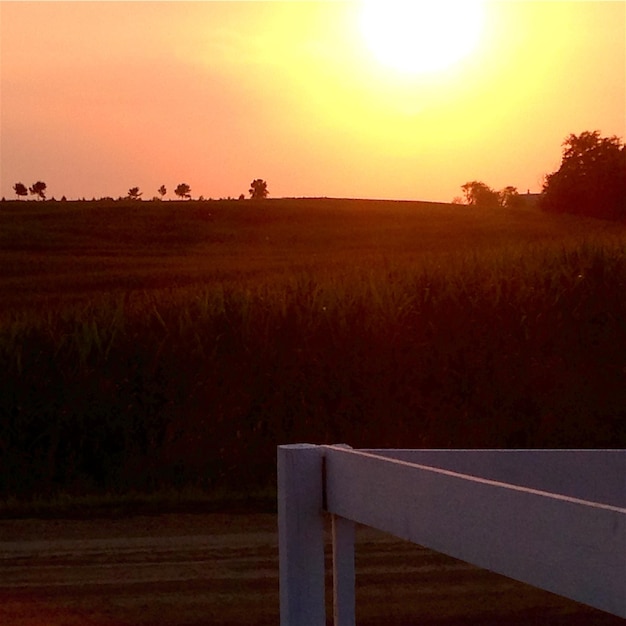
x: 591, y: 179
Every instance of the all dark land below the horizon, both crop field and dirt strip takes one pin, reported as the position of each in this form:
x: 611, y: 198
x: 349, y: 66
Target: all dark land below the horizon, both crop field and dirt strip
x: 152, y: 349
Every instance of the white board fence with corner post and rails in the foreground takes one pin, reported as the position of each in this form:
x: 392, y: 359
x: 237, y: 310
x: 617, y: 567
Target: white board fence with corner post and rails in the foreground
x: 555, y: 519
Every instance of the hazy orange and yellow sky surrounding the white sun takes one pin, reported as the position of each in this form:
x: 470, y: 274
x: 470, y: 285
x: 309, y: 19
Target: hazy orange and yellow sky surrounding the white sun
x: 98, y: 97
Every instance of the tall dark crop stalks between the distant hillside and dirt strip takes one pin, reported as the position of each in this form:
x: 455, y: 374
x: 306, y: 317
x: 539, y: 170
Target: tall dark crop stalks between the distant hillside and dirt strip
x: 193, y: 386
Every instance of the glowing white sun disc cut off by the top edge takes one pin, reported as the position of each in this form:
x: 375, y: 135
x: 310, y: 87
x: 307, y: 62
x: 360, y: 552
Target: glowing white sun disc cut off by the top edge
x: 421, y: 36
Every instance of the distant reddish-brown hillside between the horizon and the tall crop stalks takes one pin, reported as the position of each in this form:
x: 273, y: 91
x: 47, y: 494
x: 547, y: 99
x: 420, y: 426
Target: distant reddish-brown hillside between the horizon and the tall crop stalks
x: 62, y: 251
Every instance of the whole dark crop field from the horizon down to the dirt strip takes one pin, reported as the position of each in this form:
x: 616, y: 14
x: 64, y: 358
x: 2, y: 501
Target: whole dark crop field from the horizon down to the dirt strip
x: 151, y: 346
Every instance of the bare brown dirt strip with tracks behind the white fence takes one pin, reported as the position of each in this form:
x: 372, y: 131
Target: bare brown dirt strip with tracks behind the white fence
x: 192, y: 570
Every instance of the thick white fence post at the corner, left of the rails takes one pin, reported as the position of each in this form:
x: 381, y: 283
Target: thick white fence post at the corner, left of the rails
x: 301, y: 535
